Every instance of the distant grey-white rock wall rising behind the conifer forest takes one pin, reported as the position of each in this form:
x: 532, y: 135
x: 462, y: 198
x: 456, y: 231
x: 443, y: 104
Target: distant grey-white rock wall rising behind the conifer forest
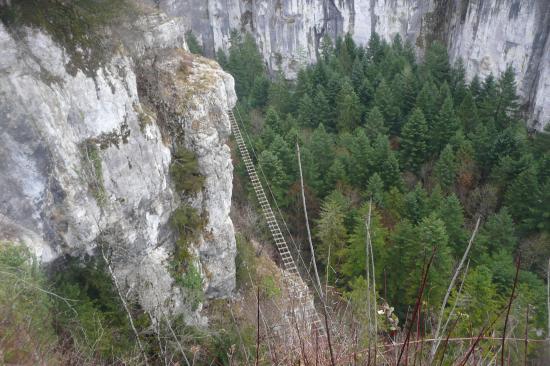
x: 487, y: 34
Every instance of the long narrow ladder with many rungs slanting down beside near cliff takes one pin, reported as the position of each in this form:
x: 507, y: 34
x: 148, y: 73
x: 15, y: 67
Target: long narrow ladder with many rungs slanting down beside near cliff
x: 297, y: 288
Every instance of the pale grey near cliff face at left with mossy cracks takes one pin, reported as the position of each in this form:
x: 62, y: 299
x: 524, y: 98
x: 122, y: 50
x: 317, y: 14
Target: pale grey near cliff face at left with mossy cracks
x: 85, y: 162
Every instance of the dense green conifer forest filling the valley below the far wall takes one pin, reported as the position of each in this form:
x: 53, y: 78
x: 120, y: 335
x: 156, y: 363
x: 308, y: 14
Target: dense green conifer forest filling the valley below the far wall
x: 431, y: 150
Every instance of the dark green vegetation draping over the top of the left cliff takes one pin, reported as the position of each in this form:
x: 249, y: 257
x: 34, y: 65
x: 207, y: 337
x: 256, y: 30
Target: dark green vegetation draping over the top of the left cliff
x: 75, y: 24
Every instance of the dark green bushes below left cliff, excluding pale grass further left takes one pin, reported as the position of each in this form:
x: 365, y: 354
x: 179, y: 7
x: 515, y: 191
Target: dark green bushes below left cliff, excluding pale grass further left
x: 94, y: 319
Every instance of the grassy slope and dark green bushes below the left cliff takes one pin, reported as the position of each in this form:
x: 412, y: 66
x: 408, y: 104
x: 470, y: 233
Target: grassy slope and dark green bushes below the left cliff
x: 76, y: 313
